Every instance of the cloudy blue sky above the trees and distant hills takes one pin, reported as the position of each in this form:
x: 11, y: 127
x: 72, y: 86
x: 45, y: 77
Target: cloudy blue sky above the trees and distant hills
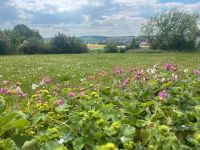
x: 86, y: 17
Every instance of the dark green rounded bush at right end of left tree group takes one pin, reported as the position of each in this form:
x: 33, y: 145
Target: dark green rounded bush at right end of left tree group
x: 67, y: 44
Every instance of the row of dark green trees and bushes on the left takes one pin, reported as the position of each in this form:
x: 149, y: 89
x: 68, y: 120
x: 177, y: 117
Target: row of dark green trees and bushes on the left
x: 23, y: 40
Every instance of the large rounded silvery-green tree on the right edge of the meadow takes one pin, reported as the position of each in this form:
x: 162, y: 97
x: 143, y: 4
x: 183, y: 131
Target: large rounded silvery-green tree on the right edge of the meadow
x: 172, y: 30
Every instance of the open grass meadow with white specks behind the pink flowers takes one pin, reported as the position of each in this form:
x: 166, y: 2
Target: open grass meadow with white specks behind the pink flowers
x: 29, y: 69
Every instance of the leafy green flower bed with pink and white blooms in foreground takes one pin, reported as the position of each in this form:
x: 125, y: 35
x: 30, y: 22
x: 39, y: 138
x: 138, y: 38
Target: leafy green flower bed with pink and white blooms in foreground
x: 126, y: 108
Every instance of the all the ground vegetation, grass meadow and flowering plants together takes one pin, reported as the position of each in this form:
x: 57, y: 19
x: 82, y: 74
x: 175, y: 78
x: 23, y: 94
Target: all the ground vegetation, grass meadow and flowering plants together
x: 98, y: 102
